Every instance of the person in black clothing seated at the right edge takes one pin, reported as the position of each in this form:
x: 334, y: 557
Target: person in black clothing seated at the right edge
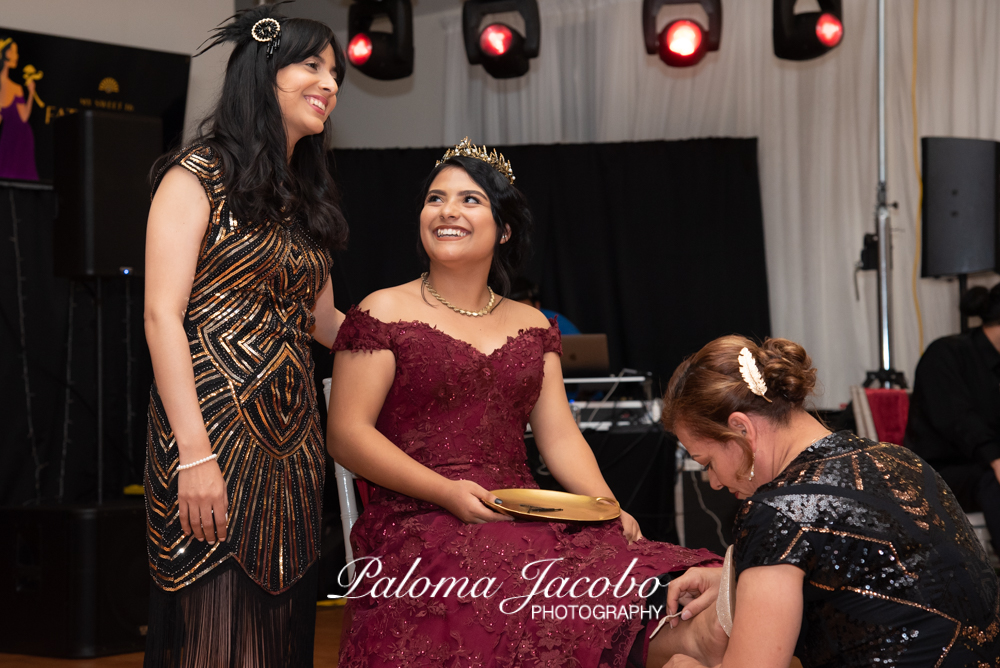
x: 954, y: 420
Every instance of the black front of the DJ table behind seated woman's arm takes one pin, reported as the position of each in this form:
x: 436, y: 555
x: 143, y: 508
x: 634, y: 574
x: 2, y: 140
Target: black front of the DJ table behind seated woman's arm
x: 638, y: 464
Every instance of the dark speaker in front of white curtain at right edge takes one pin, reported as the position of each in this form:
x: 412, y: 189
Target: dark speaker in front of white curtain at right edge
x: 961, y: 206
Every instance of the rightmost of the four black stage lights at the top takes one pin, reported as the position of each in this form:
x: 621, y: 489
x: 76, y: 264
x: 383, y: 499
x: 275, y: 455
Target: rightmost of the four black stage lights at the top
x: 807, y: 35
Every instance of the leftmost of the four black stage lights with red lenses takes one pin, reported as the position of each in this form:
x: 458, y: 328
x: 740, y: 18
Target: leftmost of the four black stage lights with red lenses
x: 381, y: 55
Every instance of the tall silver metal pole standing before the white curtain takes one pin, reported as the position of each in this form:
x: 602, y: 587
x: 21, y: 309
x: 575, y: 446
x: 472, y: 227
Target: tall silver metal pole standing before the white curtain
x: 885, y: 376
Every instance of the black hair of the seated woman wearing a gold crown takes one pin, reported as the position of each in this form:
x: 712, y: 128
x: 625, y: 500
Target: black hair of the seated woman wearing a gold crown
x: 510, y: 209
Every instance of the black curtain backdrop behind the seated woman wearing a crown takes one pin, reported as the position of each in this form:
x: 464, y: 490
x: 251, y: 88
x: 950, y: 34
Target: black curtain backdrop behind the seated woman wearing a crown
x: 658, y: 244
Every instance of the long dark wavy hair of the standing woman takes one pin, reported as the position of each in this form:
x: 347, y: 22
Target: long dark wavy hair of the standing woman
x: 247, y: 133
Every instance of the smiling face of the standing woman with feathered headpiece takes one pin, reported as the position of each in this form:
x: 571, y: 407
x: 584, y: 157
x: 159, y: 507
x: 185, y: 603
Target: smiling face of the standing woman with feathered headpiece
x: 307, y: 93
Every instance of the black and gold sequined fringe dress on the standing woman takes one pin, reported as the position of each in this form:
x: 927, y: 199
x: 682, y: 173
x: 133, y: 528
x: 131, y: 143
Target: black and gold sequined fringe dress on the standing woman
x: 248, y: 601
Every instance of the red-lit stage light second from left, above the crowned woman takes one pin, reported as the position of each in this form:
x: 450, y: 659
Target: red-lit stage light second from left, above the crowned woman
x: 502, y: 51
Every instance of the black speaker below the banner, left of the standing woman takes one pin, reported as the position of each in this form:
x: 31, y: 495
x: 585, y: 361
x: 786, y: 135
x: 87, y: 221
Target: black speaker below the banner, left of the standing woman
x: 101, y: 176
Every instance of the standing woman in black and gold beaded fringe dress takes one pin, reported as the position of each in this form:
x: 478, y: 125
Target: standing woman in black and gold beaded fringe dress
x: 237, y: 284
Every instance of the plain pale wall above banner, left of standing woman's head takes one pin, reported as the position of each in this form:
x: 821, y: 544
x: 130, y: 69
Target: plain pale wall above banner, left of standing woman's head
x: 164, y: 25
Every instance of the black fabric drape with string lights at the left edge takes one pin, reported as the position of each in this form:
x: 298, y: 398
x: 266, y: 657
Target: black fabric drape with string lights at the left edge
x: 45, y: 298
